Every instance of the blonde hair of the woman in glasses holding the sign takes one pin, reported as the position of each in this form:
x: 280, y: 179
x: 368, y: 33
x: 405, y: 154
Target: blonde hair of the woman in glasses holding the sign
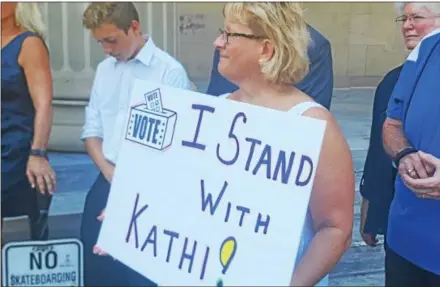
x: 284, y: 25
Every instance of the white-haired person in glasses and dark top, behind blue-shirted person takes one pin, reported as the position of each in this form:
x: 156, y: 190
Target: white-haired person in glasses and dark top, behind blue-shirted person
x: 377, y: 185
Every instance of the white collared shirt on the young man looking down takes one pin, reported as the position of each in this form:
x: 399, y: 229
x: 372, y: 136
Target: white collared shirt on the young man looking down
x: 107, y: 109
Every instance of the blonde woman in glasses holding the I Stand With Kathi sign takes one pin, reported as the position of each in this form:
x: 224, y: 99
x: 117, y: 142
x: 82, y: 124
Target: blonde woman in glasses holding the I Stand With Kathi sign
x: 263, y: 49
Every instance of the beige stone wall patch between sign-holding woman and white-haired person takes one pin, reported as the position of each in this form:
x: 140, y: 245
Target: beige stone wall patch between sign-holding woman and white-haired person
x: 365, y: 38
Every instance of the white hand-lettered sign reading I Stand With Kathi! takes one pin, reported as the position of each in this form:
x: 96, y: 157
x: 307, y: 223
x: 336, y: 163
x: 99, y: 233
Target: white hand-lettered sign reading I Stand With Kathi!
x: 209, y: 191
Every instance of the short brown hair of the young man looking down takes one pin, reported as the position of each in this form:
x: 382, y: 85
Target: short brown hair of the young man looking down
x: 121, y: 14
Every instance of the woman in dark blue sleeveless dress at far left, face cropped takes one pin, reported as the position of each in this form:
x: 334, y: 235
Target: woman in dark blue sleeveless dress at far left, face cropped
x: 26, y: 113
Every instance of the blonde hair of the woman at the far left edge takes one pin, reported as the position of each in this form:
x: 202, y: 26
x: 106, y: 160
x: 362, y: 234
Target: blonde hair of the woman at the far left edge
x: 28, y: 17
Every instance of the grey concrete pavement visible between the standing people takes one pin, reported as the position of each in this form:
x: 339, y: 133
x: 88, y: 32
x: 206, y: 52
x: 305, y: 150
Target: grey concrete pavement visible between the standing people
x: 361, y: 265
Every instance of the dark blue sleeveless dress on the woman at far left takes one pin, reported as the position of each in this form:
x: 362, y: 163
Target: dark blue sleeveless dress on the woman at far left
x: 17, y: 123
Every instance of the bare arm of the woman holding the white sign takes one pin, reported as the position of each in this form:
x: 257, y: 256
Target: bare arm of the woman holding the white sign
x: 331, y: 205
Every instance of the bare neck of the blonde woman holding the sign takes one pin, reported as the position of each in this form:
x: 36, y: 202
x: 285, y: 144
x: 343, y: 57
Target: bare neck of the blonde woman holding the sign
x: 259, y: 88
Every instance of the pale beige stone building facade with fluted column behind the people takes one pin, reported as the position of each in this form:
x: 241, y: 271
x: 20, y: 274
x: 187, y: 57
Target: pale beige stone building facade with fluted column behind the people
x: 366, y: 43
